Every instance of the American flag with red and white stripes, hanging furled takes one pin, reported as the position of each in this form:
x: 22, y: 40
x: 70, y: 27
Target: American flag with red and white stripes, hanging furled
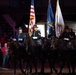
x: 32, y: 21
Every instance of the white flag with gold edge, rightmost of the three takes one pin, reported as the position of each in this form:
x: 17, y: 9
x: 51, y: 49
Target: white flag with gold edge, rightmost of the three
x: 59, y: 22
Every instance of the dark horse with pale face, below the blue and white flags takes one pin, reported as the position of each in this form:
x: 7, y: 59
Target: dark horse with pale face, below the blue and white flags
x: 52, y: 54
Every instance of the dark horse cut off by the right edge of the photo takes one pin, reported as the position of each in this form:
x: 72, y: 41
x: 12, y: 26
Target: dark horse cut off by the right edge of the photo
x: 73, y: 54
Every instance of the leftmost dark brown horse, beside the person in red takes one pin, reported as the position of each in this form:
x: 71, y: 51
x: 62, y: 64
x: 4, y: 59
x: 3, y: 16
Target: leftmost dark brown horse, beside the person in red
x: 18, y: 54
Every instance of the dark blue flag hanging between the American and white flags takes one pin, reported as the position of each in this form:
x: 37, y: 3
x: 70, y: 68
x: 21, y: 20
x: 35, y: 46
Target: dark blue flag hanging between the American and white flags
x: 50, y: 18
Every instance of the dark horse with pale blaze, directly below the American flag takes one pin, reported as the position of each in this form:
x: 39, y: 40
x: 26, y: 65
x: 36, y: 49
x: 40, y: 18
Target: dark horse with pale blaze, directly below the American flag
x: 30, y: 53
